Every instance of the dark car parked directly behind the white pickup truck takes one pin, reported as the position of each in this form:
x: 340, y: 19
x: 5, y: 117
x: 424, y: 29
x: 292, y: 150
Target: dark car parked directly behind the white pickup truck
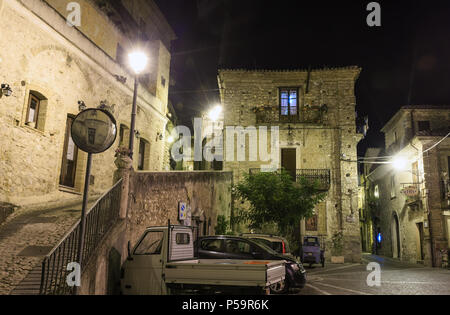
x: 239, y: 248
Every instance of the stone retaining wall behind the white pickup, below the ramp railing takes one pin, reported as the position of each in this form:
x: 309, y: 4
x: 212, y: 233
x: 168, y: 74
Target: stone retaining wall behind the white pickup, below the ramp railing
x: 153, y: 200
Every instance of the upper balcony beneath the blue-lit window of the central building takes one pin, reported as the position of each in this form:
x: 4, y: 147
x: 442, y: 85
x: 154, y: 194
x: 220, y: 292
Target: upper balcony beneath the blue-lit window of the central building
x: 307, y: 115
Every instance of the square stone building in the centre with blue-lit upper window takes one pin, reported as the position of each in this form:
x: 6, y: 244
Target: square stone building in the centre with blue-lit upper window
x: 315, y: 113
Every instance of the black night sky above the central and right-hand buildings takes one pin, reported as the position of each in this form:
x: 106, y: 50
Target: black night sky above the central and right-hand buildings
x: 406, y: 60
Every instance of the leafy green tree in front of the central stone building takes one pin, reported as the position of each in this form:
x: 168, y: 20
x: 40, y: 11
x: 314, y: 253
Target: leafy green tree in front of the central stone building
x: 276, y: 198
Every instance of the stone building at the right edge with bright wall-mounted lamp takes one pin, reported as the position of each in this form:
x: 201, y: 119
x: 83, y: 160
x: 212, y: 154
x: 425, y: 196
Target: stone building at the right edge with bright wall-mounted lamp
x: 412, y: 201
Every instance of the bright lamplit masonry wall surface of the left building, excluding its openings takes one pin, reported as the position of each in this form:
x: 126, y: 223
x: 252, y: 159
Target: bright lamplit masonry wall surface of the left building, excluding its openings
x: 60, y: 64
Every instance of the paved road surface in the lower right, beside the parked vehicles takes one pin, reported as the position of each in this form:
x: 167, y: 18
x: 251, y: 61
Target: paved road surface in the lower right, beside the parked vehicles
x: 396, y: 279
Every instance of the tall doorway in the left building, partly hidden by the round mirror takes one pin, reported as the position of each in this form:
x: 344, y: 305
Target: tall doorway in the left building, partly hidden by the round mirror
x: 69, y: 158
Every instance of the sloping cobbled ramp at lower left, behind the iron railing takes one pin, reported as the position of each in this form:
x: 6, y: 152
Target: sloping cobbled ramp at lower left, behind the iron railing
x: 25, y: 228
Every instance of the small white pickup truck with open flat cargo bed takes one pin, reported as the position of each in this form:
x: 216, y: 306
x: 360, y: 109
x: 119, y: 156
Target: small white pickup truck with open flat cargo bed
x: 162, y: 262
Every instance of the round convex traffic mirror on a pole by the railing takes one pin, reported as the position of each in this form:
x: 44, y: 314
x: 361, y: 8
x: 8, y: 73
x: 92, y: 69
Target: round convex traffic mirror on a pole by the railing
x: 94, y: 130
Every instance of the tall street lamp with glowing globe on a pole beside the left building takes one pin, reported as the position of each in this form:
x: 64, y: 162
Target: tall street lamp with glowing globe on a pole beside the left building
x: 138, y: 61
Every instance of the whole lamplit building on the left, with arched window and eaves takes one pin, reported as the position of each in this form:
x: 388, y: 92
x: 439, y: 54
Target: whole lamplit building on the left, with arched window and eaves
x: 50, y: 66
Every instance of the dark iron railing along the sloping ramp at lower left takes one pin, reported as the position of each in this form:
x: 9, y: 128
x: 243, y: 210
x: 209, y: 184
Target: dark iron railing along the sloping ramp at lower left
x: 99, y: 220
